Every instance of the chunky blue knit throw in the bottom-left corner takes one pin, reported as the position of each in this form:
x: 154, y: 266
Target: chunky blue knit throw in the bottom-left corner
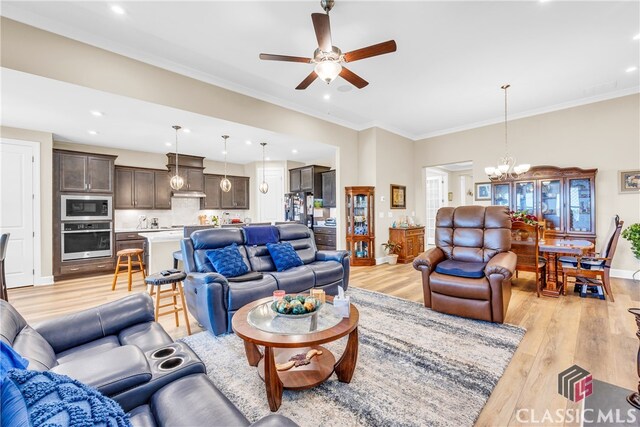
x: 44, y: 398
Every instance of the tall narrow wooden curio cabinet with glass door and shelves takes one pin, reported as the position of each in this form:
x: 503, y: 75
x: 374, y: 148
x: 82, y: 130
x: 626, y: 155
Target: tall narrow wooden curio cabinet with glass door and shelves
x: 360, y: 232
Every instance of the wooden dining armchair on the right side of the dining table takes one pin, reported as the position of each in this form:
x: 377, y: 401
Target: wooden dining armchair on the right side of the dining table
x: 593, y: 270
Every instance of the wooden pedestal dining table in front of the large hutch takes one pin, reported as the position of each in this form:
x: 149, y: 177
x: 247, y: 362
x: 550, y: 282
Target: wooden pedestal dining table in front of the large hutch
x: 552, y: 250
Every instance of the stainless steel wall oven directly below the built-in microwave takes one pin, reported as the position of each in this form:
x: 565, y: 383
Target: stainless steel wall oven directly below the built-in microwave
x: 82, y: 240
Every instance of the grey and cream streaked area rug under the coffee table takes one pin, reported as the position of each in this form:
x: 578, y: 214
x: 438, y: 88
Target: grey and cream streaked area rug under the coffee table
x: 415, y: 367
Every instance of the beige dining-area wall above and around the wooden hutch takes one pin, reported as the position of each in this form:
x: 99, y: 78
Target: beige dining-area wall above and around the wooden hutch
x: 603, y: 135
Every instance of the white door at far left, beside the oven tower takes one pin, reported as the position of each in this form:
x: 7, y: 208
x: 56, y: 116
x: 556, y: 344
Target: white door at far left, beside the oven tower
x: 16, y: 211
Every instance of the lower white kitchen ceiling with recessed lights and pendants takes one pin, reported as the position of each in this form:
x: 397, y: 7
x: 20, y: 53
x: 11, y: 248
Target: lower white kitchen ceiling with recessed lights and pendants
x: 38, y: 103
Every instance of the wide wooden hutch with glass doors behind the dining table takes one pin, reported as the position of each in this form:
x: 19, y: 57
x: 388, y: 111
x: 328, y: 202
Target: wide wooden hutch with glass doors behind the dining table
x: 564, y: 197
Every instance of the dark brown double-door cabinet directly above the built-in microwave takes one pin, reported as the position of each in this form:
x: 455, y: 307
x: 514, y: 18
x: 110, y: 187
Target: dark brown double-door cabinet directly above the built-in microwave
x: 85, y: 172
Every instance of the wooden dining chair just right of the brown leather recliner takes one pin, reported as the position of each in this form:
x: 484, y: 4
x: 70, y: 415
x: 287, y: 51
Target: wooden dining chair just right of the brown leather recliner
x: 525, y: 244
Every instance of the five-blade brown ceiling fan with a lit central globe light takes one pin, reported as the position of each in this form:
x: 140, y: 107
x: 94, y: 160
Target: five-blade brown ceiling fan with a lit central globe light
x: 327, y: 58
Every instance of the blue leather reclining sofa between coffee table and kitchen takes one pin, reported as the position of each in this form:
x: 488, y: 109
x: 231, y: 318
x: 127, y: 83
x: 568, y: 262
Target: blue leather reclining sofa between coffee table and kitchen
x: 213, y: 299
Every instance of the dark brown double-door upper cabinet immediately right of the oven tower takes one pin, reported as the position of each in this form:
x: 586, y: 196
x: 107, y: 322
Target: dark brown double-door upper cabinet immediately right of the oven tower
x: 134, y: 188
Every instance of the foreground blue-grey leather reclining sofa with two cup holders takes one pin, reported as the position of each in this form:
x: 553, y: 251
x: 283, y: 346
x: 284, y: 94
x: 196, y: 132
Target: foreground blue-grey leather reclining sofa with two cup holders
x: 118, y: 349
